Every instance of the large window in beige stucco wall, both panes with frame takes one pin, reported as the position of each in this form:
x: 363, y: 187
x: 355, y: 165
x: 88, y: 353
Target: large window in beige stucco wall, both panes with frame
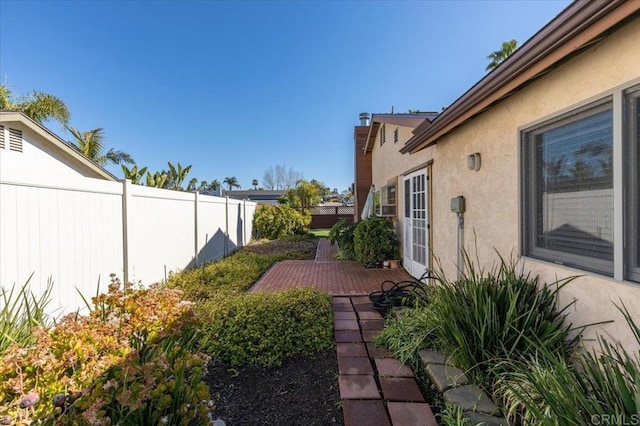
x: 580, y: 186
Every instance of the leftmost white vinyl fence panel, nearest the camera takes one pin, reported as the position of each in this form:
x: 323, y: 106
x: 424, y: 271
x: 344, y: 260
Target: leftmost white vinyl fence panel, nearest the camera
x: 69, y: 234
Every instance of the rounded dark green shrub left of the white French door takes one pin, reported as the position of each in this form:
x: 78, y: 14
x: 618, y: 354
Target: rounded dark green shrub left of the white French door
x: 375, y: 241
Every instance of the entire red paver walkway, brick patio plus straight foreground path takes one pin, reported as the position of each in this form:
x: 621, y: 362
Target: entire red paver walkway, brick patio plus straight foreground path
x: 375, y: 388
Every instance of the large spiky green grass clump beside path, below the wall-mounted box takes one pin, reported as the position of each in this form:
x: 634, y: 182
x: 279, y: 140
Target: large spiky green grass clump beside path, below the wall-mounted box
x: 505, y: 314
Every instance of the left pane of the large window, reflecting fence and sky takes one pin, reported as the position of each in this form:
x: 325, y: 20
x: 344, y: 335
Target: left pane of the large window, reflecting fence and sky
x: 568, y: 189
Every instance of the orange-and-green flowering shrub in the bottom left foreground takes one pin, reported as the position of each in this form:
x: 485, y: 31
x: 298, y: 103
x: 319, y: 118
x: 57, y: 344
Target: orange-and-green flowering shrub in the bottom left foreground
x: 132, y: 360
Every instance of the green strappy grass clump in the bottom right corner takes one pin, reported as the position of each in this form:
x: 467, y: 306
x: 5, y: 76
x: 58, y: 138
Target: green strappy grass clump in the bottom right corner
x: 598, y: 387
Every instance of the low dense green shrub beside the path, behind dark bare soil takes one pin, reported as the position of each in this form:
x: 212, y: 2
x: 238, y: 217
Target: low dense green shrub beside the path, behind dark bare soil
x: 266, y: 328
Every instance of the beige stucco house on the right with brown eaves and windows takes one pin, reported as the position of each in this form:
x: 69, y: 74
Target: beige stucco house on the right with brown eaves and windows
x: 545, y: 150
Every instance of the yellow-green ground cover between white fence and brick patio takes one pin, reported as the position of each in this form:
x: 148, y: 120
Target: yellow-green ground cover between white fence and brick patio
x: 234, y: 274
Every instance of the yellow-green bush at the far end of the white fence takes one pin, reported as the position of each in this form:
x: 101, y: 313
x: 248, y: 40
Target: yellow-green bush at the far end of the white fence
x: 273, y: 222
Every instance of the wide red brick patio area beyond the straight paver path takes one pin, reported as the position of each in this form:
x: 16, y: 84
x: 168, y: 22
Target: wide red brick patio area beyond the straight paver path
x: 325, y: 273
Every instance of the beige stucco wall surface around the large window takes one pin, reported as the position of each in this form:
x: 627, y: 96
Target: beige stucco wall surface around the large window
x: 492, y: 215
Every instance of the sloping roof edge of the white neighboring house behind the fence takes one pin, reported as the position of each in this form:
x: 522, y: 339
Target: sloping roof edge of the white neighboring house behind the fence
x: 57, y: 143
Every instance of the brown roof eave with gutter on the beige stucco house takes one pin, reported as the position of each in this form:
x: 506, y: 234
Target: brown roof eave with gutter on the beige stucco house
x: 576, y: 28
